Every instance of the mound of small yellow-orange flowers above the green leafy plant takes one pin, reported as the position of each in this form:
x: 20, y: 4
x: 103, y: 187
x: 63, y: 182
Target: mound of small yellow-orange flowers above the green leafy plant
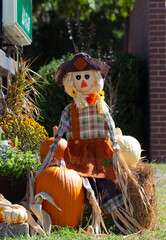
x: 30, y: 133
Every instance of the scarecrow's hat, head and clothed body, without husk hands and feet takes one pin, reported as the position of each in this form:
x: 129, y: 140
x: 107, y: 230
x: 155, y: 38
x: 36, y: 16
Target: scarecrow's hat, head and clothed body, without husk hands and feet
x: 89, y: 126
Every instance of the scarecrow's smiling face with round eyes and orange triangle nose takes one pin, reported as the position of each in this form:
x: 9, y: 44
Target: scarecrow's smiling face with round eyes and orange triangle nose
x: 85, y: 82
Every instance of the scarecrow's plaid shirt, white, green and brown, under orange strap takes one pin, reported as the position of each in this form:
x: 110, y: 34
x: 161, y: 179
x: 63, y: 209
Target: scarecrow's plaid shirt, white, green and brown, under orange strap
x: 92, y: 124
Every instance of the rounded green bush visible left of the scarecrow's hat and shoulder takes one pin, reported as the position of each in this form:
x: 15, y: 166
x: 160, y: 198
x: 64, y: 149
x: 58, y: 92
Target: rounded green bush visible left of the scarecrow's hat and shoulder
x: 55, y: 99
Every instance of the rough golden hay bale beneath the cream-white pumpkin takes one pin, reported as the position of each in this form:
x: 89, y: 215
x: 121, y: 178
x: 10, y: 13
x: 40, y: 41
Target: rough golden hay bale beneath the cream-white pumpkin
x: 146, y: 217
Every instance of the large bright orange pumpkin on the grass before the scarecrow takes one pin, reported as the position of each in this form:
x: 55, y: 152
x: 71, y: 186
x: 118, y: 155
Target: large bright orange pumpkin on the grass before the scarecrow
x: 66, y: 188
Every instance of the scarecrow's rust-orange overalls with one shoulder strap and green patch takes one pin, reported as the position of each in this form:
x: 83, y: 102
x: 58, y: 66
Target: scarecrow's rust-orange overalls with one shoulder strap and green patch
x: 89, y: 157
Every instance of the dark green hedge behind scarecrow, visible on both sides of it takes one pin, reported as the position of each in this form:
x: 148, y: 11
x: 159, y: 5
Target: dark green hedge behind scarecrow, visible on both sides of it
x: 130, y: 113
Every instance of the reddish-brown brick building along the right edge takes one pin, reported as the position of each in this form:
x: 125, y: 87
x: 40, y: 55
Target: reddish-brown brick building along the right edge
x: 147, y: 38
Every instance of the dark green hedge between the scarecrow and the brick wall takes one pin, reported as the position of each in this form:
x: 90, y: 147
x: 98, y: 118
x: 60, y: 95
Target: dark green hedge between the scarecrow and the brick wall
x: 132, y: 95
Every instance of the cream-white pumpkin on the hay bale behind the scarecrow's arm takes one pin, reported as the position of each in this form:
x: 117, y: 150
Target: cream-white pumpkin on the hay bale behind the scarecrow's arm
x: 130, y: 148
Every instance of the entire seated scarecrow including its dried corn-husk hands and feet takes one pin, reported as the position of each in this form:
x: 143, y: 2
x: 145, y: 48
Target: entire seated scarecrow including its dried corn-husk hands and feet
x: 92, y: 149
